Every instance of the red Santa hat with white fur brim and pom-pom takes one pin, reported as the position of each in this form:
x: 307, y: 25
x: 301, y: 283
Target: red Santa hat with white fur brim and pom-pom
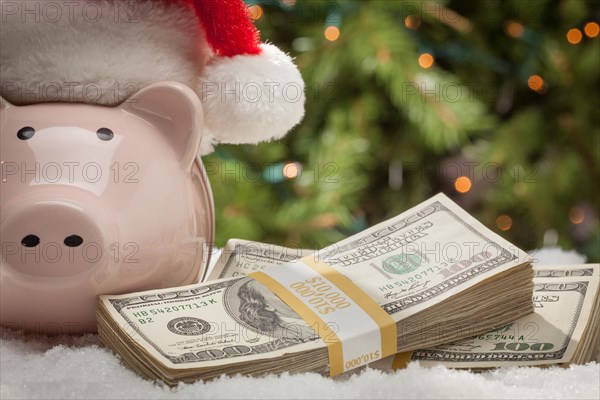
x: 101, y: 52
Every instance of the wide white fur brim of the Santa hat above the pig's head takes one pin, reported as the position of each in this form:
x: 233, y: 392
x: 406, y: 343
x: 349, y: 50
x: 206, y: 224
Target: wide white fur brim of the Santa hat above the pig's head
x: 96, y: 52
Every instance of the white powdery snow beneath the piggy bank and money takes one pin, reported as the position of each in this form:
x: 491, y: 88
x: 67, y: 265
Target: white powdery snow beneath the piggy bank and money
x: 34, y: 367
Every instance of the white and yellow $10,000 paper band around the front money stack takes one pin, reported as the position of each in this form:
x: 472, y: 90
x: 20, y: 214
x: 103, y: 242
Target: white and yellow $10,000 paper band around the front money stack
x: 355, y: 329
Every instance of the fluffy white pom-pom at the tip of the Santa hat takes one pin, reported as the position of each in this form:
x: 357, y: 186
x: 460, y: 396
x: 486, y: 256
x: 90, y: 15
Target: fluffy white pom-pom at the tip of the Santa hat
x: 250, y: 98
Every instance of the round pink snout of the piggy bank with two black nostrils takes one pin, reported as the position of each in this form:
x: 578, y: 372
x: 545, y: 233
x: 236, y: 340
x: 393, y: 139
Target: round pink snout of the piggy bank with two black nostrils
x: 53, y: 238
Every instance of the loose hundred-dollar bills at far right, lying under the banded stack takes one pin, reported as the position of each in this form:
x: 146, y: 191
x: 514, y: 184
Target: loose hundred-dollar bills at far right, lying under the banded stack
x: 562, y: 330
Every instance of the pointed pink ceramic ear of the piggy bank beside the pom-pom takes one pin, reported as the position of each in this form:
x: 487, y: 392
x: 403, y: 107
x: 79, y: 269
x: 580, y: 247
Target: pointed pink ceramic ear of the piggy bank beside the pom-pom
x: 176, y: 111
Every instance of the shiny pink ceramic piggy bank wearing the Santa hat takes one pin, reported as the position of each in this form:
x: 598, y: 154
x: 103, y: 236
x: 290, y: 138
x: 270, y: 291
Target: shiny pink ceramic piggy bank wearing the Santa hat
x: 99, y: 200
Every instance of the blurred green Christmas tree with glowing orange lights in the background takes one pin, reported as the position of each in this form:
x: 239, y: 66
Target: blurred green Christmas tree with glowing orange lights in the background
x: 493, y: 103
